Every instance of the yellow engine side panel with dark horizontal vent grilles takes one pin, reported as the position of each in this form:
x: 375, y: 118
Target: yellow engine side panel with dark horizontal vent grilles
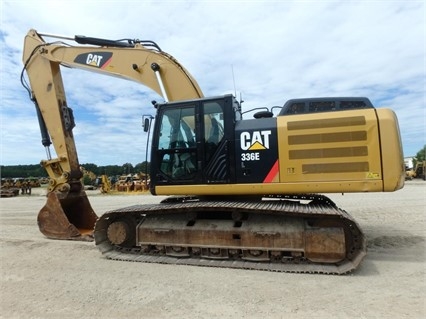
x: 330, y: 147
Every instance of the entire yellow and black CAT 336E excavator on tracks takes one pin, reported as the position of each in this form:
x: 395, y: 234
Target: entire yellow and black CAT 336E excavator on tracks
x: 242, y: 193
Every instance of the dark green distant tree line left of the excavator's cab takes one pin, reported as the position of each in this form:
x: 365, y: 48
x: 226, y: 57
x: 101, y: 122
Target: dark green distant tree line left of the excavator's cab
x: 36, y: 170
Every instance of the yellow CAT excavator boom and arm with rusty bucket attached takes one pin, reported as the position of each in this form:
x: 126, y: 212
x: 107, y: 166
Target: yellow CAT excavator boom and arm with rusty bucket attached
x: 67, y: 213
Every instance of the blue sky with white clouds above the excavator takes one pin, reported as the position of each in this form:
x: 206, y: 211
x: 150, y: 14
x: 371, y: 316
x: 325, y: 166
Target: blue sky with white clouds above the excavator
x: 275, y: 51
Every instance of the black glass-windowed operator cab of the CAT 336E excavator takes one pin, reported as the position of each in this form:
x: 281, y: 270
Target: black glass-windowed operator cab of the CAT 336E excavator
x: 191, y: 141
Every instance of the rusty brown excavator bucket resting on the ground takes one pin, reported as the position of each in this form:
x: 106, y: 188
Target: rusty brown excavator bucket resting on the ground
x: 67, y: 216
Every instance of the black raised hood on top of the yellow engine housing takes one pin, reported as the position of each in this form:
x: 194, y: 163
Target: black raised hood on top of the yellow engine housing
x: 315, y: 105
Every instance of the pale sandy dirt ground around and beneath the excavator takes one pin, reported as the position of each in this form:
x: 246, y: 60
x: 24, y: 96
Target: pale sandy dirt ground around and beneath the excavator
x: 43, y: 278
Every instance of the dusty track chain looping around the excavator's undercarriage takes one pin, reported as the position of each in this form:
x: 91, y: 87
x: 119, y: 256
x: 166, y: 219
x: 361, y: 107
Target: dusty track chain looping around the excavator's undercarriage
x: 325, y: 209
